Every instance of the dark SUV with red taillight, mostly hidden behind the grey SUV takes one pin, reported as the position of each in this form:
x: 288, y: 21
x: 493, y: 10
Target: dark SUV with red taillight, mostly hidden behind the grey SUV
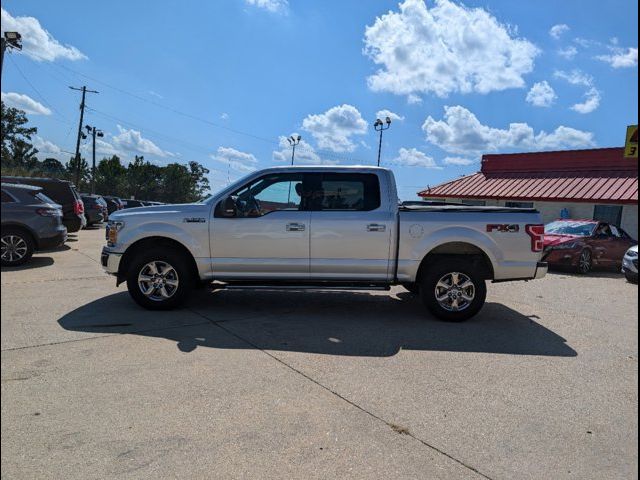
x: 63, y: 193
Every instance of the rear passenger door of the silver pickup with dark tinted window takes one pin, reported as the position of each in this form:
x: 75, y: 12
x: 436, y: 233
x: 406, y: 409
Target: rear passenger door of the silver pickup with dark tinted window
x: 351, y: 227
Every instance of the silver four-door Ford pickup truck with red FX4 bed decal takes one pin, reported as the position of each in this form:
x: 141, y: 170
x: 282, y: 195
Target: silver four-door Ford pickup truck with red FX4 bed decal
x: 323, y: 227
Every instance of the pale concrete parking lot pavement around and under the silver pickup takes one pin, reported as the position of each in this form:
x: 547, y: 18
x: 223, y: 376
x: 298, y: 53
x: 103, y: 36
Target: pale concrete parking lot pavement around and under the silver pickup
x: 280, y: 384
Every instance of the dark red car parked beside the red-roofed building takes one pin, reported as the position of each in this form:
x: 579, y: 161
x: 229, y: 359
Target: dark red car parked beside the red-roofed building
x: 584, y: 244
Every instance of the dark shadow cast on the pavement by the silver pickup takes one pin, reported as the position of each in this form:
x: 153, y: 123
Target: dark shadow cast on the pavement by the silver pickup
x: 325, y: 322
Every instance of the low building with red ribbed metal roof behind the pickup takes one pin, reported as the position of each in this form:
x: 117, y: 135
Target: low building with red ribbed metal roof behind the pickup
x: 596, y: 183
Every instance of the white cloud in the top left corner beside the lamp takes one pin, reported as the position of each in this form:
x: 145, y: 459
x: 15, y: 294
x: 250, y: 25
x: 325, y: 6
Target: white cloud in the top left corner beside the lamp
x: 37, y: 43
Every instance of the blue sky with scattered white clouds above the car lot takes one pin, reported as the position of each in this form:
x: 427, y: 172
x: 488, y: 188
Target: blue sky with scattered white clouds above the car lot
x: 225, y: 82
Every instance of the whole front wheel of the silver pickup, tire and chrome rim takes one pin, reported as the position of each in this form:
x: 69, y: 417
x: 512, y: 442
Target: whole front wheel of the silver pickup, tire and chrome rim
x: 159, y: 279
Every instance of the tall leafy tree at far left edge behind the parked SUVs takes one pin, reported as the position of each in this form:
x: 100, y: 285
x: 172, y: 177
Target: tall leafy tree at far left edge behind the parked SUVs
x: 17, y: 150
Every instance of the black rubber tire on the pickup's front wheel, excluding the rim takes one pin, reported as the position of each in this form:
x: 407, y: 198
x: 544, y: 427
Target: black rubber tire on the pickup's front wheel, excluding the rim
x: 183, y: 275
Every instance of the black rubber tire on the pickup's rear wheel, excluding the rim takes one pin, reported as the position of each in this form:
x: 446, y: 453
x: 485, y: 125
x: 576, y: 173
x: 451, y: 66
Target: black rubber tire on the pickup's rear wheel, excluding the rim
x: 447, y: 267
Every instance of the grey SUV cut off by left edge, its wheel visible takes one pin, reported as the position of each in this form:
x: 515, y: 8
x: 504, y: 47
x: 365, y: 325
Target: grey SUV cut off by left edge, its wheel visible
x: 30, y: 221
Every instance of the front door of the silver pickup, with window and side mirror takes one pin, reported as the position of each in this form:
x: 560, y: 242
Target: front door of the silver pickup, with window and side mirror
x: 262, y: 231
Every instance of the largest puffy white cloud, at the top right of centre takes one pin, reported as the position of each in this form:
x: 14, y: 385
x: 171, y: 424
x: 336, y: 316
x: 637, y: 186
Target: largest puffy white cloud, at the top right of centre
x: 445, y: 49
